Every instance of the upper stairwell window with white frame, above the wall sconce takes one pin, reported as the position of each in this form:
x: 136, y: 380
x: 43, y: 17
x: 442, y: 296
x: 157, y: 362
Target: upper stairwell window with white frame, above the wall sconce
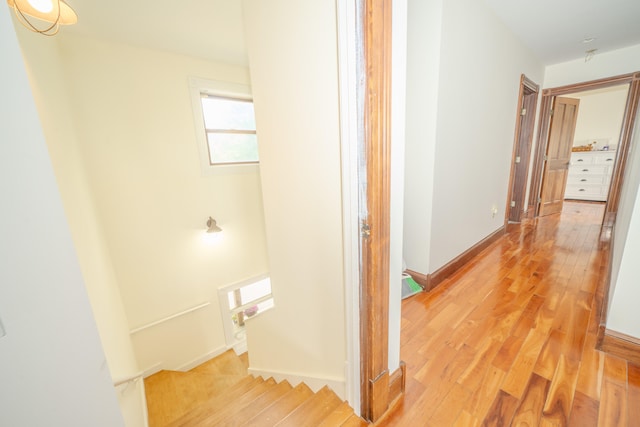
x: 225, y: 125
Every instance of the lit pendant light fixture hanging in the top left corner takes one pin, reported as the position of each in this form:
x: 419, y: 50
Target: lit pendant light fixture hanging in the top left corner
x: 52, y: 12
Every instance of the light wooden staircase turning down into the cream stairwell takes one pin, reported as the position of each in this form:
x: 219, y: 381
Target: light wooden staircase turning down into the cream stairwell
x: 233, y: 399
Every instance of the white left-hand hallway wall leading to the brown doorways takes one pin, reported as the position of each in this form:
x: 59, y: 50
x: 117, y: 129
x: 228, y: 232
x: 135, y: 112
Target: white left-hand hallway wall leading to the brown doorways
x: 477, y: 88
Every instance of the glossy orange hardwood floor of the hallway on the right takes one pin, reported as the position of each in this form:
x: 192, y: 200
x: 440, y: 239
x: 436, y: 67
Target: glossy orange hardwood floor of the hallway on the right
x: 510, y: 339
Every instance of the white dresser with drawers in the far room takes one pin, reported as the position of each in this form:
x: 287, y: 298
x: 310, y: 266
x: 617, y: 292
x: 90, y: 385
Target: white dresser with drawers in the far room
x: 590, y: 175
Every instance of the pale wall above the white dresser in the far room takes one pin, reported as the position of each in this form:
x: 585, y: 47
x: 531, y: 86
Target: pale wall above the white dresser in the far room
x: 600, y: 116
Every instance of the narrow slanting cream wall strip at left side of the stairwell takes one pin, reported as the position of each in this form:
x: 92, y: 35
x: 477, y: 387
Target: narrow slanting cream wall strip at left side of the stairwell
x: 47, y: 80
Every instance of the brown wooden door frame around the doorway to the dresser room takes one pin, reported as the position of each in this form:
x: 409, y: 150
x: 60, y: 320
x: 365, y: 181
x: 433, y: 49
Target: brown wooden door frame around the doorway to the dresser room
x: 633, y: 79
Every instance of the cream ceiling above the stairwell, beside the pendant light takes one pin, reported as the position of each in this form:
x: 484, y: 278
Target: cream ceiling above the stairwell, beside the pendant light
x: 210, y: 29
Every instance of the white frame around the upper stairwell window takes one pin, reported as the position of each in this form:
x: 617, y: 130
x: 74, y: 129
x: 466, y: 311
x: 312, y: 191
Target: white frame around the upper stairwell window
x: 218, y: 89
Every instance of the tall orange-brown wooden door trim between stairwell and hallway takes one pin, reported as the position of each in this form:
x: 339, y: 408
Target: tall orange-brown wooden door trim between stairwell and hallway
x: 374, y: 298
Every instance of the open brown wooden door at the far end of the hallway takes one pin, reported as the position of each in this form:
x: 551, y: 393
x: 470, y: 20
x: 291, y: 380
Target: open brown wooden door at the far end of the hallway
x: 556, y: 167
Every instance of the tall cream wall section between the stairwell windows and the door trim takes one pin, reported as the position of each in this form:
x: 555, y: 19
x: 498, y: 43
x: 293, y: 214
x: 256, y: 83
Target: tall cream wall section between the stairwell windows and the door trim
x: 292, y: 51
